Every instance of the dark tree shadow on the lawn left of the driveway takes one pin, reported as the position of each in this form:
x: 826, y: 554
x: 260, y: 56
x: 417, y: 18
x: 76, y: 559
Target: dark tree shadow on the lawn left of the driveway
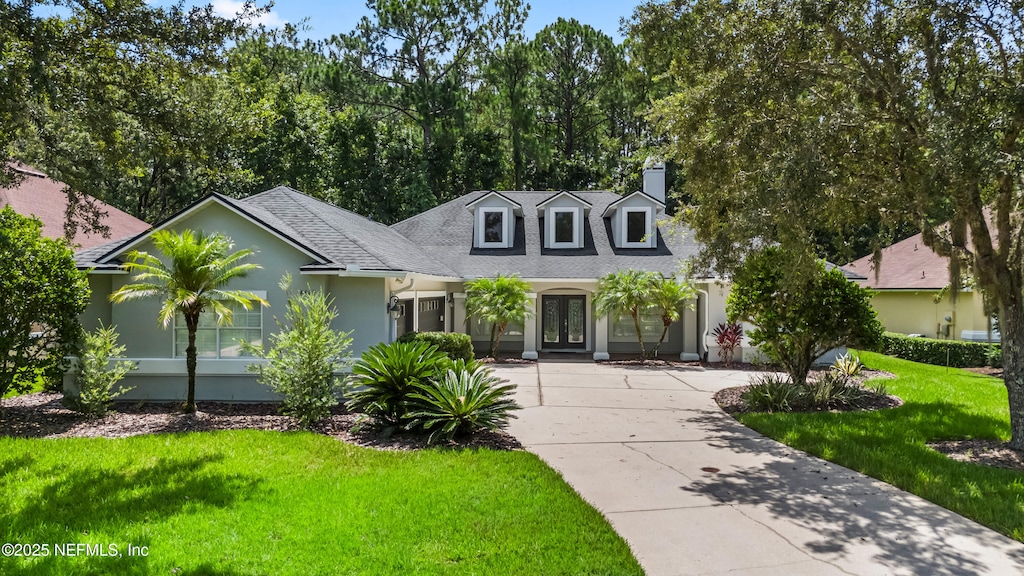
x: 79, y: 505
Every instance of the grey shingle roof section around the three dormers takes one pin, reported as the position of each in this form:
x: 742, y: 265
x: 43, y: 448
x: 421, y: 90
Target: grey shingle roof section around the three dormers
x: 447, y: 233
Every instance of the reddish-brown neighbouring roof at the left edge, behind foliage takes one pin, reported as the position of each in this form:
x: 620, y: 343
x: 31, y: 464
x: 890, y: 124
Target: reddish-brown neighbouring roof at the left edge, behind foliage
x: 46, y: 199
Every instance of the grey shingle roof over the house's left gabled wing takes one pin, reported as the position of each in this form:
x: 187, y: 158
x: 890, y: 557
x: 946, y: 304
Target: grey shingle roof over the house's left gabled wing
x: 332, y: 237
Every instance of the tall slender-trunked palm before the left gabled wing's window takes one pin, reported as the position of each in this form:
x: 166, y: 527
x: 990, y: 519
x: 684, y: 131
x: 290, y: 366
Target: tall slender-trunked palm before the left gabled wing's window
x: 200, y: 268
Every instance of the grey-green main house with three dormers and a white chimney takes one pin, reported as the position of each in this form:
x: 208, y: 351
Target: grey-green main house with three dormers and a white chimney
x: 411, y: 276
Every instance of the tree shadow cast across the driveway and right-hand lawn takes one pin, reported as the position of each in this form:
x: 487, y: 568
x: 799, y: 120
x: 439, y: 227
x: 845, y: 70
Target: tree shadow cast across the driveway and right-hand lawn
x: 844, y: 511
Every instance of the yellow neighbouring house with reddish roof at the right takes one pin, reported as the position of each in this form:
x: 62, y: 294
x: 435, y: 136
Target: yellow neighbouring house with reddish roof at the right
x: 912, y: 295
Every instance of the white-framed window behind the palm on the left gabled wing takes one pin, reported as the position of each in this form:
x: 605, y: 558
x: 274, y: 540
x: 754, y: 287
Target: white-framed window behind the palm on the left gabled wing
x: 225, y: 341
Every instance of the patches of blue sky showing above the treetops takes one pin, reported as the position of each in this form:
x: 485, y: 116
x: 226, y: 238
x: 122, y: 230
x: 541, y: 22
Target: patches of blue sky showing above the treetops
x: 328, y: 18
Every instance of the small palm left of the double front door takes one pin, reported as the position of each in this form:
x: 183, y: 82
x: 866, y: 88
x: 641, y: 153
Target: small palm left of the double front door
x: 499, y: 301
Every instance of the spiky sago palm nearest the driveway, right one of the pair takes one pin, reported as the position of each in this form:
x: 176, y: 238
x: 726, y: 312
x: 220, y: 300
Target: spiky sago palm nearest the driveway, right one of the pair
x: 461, y: 402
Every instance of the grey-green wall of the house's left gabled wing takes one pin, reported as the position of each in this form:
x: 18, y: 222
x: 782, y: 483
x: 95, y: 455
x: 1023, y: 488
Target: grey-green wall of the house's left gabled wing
x: 361, y: 304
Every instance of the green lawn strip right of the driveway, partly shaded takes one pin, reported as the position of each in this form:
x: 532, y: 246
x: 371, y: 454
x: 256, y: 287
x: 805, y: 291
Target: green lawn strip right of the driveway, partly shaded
x: 889, y: 445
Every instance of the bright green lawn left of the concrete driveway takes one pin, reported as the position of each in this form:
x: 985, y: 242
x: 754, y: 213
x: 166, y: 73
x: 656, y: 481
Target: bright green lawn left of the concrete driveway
x: 259, y: 503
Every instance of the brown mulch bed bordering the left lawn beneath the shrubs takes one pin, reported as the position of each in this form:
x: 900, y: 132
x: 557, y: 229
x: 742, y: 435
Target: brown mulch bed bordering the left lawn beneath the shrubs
x: 44, y: 416
